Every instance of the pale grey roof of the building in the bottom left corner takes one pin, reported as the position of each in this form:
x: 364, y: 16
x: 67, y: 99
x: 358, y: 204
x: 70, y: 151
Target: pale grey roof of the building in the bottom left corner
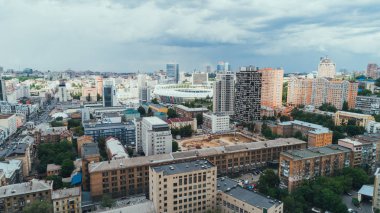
x: 25, y: 188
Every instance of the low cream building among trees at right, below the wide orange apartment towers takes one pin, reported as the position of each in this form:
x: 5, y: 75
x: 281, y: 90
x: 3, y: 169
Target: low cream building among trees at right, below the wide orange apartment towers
x: 343, y: 117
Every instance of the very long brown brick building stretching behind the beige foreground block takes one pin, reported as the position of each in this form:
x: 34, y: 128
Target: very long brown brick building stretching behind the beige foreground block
x: 124, y: 177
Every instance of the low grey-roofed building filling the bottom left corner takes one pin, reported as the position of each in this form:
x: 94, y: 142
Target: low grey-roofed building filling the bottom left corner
x: 13, y: 198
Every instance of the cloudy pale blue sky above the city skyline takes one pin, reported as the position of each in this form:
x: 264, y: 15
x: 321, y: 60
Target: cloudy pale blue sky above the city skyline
x: 135, y: 35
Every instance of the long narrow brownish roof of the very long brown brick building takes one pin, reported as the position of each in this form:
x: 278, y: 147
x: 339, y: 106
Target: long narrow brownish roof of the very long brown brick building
x: 146, y: 160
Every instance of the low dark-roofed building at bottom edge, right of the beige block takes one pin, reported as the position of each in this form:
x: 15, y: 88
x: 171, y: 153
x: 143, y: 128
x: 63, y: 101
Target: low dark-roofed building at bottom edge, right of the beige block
x: 231, y: 197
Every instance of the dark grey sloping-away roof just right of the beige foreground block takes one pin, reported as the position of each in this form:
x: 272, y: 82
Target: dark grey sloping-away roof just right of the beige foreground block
x: 232, y: 188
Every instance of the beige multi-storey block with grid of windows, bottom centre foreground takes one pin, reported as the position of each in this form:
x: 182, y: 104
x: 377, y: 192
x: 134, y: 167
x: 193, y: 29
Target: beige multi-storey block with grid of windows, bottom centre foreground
x: 183, y: 187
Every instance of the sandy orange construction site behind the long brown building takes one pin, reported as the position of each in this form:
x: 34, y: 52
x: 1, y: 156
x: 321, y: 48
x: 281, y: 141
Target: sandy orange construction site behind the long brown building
x: 214, y: 140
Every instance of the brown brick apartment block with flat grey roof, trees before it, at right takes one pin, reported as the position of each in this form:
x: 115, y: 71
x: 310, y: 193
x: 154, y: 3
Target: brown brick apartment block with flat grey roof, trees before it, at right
x: 298, y: 165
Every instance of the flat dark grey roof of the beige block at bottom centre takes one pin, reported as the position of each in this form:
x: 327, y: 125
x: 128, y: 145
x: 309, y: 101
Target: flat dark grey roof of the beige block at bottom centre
x: 186, y: 167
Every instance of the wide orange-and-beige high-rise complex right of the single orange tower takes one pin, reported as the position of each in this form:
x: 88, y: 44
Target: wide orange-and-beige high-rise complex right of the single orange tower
x: 321, y: 90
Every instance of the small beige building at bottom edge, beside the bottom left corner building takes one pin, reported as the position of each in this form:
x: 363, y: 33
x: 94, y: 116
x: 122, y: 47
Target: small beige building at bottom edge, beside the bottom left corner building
x: 67, y: 200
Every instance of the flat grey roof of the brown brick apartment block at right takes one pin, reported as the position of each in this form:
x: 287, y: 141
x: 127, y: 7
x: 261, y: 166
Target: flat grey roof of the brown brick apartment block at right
x: 315, y: 152
